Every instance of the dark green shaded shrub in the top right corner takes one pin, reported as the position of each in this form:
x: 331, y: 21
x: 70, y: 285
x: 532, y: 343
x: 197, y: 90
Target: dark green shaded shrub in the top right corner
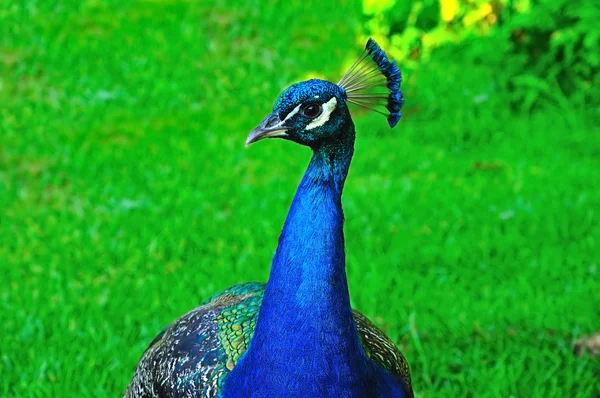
x: 556, y: 46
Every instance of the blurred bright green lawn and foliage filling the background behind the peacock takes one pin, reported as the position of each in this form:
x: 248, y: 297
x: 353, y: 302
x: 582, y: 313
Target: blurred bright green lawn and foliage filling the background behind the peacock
x: 127, y: 196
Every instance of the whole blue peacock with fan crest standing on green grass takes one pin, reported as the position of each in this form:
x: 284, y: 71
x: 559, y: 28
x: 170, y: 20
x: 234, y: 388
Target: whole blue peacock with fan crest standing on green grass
x: 296, y: 336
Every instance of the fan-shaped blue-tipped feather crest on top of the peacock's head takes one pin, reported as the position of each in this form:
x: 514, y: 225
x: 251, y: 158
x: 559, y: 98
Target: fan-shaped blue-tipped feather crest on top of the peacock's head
x: 365, y: 78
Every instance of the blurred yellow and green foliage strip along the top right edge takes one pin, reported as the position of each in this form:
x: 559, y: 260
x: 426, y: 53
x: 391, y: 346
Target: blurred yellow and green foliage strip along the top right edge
x: 542, y: 52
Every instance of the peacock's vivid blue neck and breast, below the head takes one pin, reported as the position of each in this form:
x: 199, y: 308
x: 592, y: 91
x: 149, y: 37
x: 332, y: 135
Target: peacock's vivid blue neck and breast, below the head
x: 305, y: 330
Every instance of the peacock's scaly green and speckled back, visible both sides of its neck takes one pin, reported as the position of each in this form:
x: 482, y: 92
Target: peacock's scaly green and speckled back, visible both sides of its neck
x: 193, y: 355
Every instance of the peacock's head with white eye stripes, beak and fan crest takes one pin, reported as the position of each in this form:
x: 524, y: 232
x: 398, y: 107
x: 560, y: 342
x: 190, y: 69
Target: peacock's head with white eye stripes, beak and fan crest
x: 315, y: 111
